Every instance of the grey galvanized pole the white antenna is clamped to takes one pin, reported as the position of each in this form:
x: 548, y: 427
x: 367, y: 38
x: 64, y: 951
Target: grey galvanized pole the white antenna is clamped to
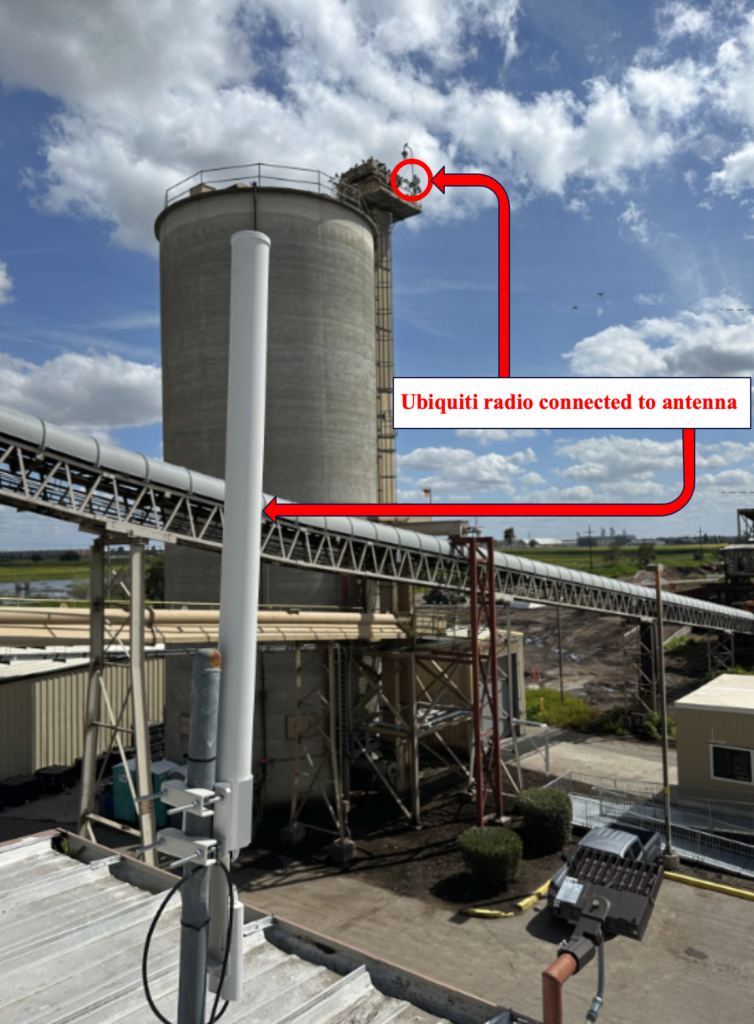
x: 196, y: 892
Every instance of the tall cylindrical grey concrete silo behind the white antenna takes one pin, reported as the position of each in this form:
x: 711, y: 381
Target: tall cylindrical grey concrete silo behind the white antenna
x: 321, y: 434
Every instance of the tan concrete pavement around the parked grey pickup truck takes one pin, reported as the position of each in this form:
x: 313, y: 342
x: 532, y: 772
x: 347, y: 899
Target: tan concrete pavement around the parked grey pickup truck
x: 695, y: 964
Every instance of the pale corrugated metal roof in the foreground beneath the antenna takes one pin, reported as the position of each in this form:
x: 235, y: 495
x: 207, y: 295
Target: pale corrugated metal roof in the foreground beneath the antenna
x: 73, y: 936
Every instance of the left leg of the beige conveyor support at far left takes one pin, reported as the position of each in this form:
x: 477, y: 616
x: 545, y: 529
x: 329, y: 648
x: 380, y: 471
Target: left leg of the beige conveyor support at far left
x: 97, y: 667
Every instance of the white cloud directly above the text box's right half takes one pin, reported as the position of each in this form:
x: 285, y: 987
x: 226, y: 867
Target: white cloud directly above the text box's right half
x: 709, y: 343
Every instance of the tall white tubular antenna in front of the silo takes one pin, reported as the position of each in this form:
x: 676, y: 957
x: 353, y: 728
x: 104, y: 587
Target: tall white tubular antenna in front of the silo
x: 240, y: 588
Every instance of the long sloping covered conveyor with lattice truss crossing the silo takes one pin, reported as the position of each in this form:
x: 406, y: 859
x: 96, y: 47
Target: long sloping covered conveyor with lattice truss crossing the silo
x: 57, y: 473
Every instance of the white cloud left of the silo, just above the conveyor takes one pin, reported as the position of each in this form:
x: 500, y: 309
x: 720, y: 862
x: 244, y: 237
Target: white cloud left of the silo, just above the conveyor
x: 93, y: 393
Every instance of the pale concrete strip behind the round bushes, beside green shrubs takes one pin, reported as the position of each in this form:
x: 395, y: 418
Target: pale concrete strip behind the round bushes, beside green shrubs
x: 596, y: 755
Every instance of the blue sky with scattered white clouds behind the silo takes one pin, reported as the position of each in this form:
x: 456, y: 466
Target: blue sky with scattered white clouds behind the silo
x: 624, y: 135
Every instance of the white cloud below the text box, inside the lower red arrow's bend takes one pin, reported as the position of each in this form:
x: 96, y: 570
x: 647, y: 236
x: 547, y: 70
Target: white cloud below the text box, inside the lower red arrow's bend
x: 622, y: 460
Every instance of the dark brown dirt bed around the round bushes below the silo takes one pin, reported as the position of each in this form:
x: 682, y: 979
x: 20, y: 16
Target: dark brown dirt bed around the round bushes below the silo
x: 423, y: 864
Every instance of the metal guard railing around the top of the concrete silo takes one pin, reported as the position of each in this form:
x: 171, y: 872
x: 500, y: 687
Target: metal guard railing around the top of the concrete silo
x: 306, y: 179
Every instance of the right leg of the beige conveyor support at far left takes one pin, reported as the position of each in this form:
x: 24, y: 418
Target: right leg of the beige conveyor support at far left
x: 145, y: 808
